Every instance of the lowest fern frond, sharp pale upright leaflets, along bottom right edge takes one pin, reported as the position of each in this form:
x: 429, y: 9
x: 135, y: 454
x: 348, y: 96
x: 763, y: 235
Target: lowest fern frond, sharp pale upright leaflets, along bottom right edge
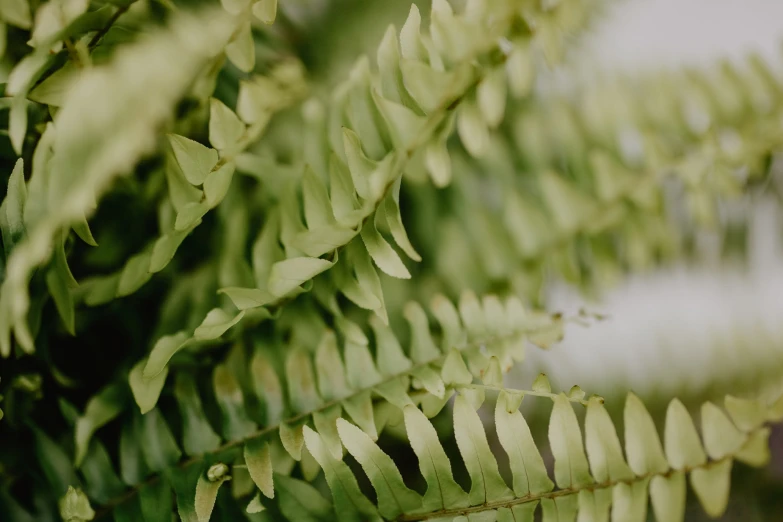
x: 593, y: 478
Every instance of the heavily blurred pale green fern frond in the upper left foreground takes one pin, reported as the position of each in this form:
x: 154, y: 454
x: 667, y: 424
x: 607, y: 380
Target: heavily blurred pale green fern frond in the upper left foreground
x: 92, y: 145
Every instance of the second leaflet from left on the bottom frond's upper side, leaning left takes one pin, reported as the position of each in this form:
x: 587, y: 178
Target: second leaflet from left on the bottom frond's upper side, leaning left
x: 394, y: 497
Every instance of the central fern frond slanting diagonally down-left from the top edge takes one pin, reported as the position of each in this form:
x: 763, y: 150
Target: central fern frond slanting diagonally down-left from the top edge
x: 380, y: 125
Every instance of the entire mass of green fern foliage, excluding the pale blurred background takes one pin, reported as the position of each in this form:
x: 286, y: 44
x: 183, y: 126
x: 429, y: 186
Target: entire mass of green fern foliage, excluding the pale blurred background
x: 271, y: 261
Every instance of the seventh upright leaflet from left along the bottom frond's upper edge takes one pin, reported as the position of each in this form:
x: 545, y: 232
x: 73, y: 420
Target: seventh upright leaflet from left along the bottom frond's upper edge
x: 603, y: 446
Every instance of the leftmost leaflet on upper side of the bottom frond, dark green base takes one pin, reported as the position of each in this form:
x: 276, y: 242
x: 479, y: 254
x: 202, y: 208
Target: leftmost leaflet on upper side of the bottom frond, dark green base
x: 349, y: 502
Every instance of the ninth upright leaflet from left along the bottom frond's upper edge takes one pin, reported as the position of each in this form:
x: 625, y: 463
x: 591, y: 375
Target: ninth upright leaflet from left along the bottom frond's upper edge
x: 683, y: 447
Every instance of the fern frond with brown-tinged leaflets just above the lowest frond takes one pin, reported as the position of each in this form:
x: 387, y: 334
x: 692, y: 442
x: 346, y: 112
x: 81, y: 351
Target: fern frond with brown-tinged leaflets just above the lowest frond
x: 319, y: 387
